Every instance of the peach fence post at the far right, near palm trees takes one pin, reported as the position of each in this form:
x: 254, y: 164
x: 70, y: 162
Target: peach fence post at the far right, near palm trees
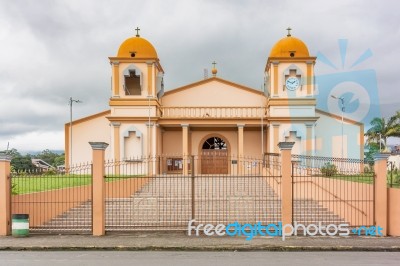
x: 380, y: 193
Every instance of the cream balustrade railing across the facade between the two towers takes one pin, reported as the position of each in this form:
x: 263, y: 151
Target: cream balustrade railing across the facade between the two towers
x: 213, y: 112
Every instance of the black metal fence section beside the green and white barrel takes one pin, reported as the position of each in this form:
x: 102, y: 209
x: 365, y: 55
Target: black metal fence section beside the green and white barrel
x: 56, y: 201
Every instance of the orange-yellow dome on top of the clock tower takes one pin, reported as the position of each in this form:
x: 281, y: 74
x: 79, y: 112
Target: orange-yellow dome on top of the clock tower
x: 289, y: 47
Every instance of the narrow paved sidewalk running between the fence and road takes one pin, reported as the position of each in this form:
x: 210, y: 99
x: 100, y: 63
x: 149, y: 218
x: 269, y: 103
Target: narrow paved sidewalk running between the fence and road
x: 180, y: 241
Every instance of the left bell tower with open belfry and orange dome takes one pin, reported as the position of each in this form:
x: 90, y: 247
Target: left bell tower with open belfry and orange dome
x: 137, y: 83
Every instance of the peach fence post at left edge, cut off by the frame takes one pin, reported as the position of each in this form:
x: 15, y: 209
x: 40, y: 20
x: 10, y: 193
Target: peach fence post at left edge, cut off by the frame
x: 5, y: 194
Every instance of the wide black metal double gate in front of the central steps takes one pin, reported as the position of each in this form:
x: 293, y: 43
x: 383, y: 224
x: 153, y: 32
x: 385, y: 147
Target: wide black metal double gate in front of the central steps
x: 168, y: 200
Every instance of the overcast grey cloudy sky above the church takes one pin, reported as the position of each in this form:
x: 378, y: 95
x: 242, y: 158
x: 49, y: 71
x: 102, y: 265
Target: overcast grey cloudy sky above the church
x: 52, y: 50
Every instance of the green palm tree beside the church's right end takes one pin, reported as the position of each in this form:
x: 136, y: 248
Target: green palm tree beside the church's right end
x: 383, y: 128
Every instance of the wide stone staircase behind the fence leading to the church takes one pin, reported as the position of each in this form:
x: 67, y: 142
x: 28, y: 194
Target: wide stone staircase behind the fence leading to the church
x: 166, y: 204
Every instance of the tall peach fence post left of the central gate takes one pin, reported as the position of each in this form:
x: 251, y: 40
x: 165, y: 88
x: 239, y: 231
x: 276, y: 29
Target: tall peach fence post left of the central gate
x: 98, y: 188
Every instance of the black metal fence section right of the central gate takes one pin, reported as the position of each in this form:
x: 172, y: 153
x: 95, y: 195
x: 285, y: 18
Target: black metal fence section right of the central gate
x: 332, y: 191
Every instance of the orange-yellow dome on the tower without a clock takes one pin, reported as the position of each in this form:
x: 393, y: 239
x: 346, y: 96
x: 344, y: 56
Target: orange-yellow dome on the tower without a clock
x: 137, y: 47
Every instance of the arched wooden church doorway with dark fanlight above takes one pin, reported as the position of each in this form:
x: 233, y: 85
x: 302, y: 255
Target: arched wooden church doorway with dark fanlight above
x: 214, y: 156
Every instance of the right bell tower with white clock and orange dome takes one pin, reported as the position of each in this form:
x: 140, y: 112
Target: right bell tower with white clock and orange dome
x: 289, y: 83
